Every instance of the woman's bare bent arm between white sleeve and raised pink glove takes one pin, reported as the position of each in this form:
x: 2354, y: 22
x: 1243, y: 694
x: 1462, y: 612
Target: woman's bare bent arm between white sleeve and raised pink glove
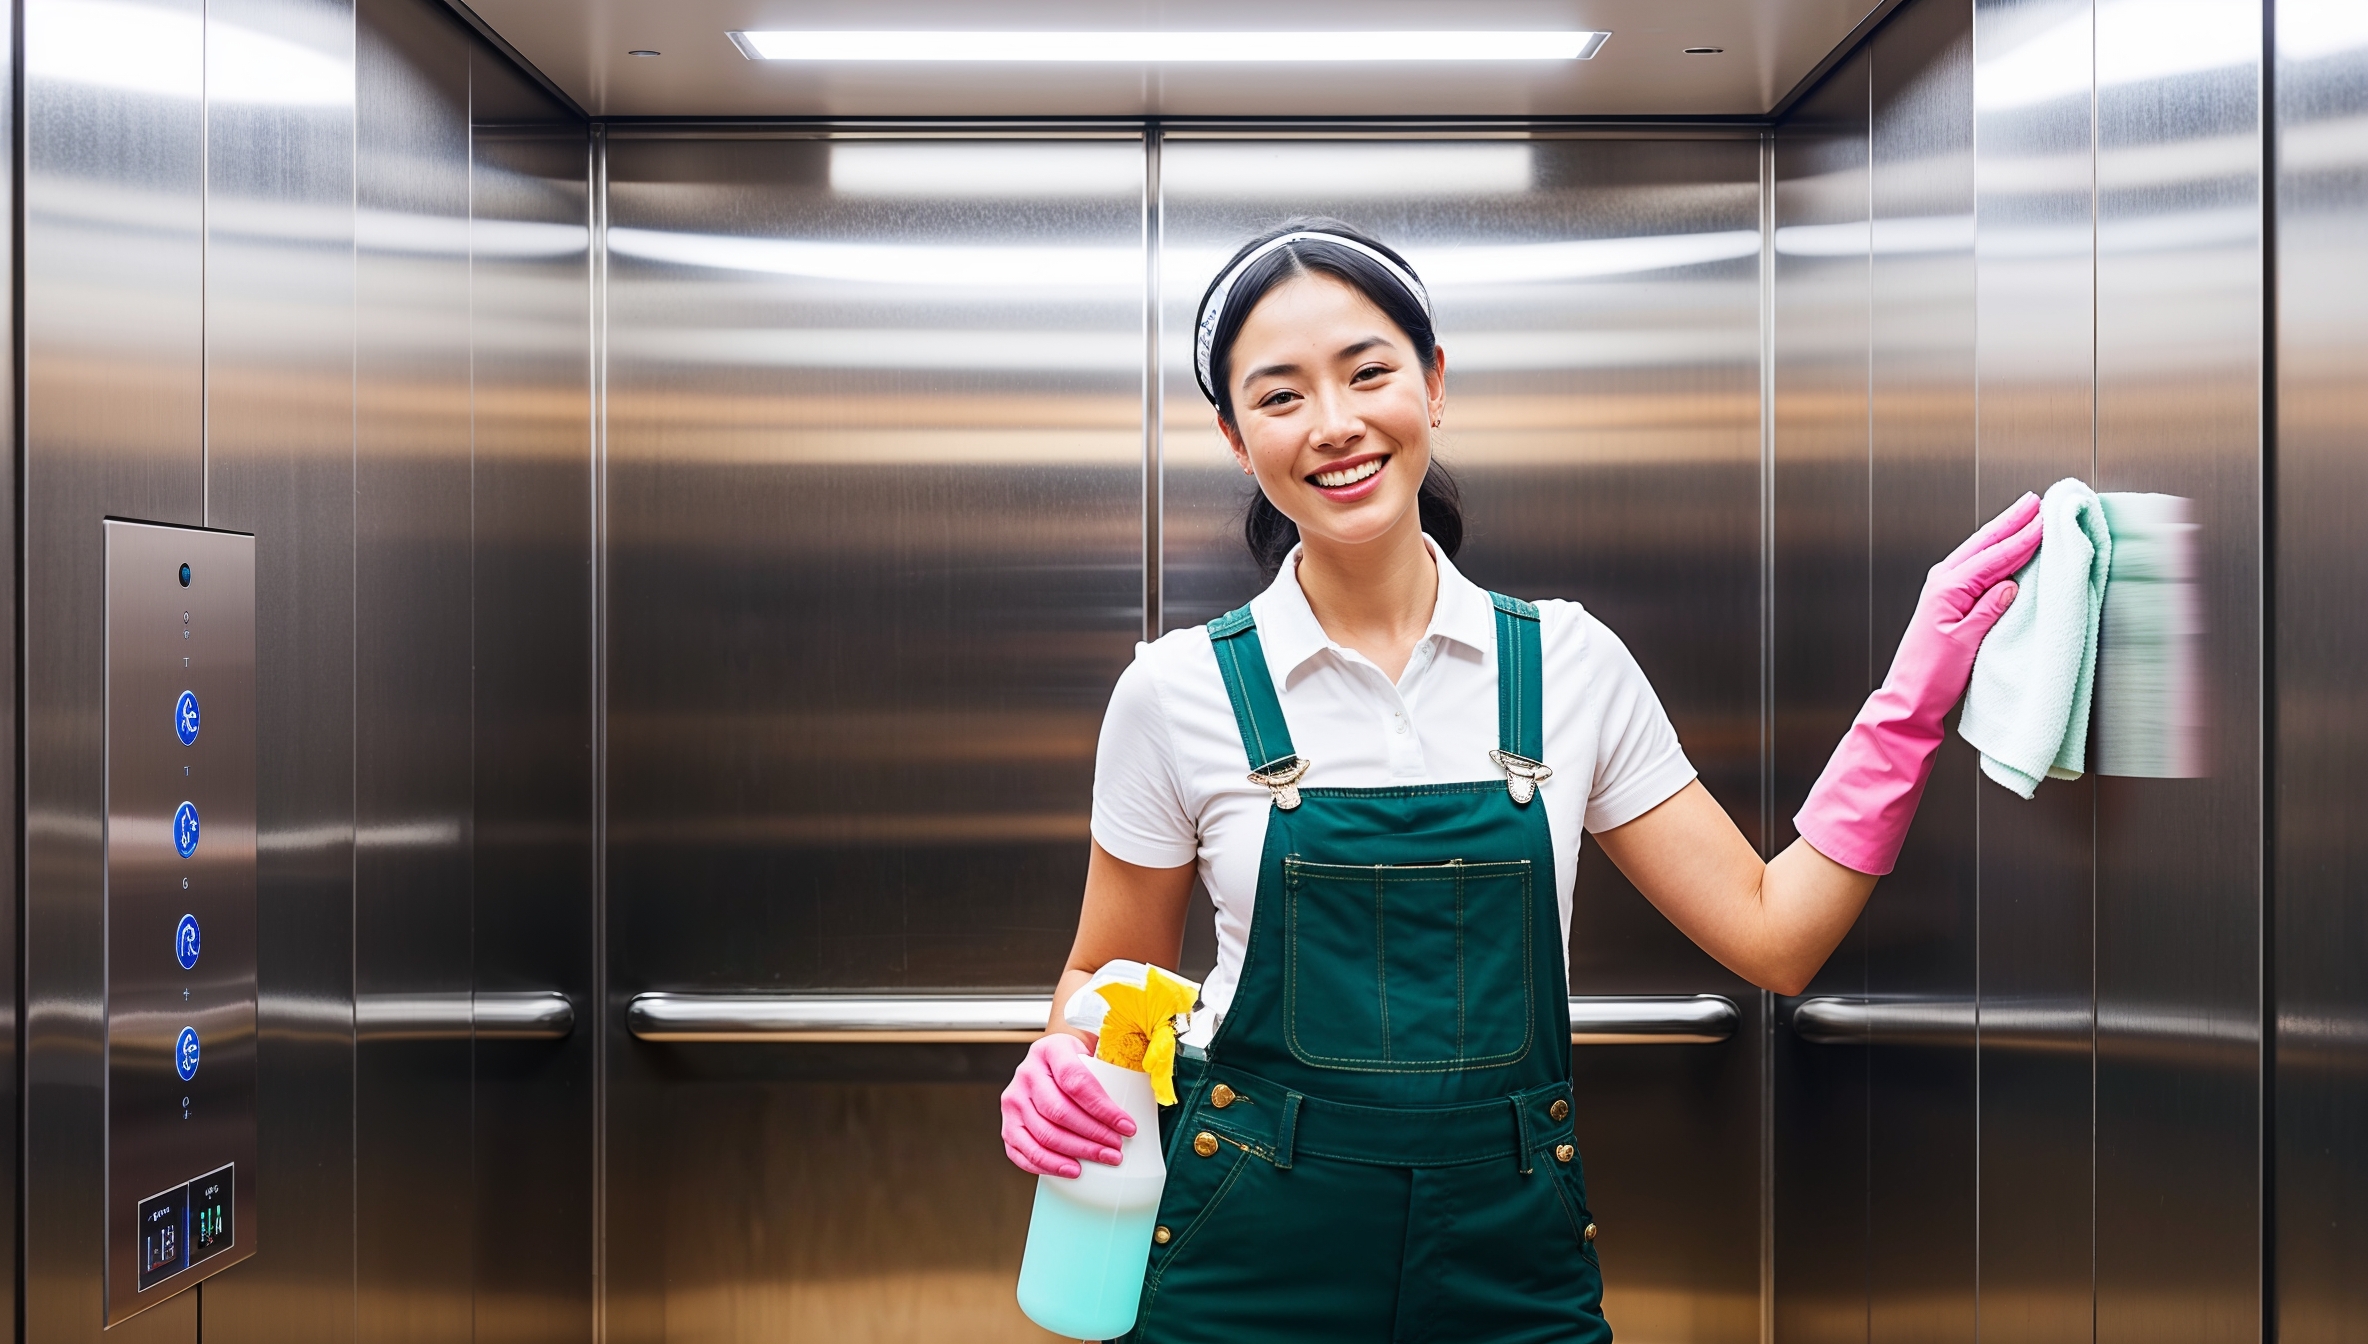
x: 1772, y: 924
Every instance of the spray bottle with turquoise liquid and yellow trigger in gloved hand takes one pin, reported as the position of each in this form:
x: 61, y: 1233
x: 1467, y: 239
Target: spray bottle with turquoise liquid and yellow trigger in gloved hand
x: 1090, y: 1234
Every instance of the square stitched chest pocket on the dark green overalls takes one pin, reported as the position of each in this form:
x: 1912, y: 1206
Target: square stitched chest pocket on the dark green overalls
x: 1408, y: 969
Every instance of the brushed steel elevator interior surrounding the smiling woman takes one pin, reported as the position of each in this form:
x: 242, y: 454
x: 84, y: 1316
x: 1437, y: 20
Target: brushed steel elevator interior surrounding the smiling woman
x: 700, y: 512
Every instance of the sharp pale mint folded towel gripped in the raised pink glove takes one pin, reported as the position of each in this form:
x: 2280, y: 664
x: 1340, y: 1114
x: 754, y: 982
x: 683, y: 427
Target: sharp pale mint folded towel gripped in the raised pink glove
x: 2028, y: 702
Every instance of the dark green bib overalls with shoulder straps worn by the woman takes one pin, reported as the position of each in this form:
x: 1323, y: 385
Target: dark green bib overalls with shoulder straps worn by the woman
x: 1377, y: 1146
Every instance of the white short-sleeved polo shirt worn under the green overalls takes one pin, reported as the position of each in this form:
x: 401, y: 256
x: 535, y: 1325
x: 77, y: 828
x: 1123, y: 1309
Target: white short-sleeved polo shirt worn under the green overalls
x: 1171, y: 777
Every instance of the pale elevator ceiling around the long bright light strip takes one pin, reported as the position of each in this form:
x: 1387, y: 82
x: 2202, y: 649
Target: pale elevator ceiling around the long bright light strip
x: 1645, y: 70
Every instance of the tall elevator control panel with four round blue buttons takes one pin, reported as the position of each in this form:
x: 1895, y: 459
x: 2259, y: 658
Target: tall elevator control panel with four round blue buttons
x: 181, y: 910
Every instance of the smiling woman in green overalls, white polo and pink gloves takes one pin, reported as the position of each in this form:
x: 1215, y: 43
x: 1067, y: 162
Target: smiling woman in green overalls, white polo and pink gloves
x: 1382, y: 775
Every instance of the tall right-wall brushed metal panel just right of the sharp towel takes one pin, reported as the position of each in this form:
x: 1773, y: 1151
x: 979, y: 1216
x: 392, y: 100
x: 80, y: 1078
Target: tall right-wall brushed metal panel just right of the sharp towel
x: 2177, y: 896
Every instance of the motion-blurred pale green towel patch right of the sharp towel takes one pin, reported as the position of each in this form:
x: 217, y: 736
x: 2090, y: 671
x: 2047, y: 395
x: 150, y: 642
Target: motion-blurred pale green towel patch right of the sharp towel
x: 2149, y: 702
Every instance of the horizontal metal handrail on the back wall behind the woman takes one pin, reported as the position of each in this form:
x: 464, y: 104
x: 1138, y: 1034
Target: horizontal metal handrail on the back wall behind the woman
x: 920, y: 1019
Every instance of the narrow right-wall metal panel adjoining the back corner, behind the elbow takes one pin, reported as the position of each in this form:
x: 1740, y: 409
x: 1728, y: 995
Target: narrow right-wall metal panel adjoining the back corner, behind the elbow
x: 1822, y: 664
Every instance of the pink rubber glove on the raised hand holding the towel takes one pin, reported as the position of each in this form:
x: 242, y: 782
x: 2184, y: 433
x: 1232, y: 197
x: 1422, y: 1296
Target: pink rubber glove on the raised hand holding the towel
x: 1860, y: 810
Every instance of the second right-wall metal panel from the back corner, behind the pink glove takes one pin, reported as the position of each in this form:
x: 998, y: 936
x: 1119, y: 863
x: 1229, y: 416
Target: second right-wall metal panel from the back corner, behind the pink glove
x: 1922, y: 929
